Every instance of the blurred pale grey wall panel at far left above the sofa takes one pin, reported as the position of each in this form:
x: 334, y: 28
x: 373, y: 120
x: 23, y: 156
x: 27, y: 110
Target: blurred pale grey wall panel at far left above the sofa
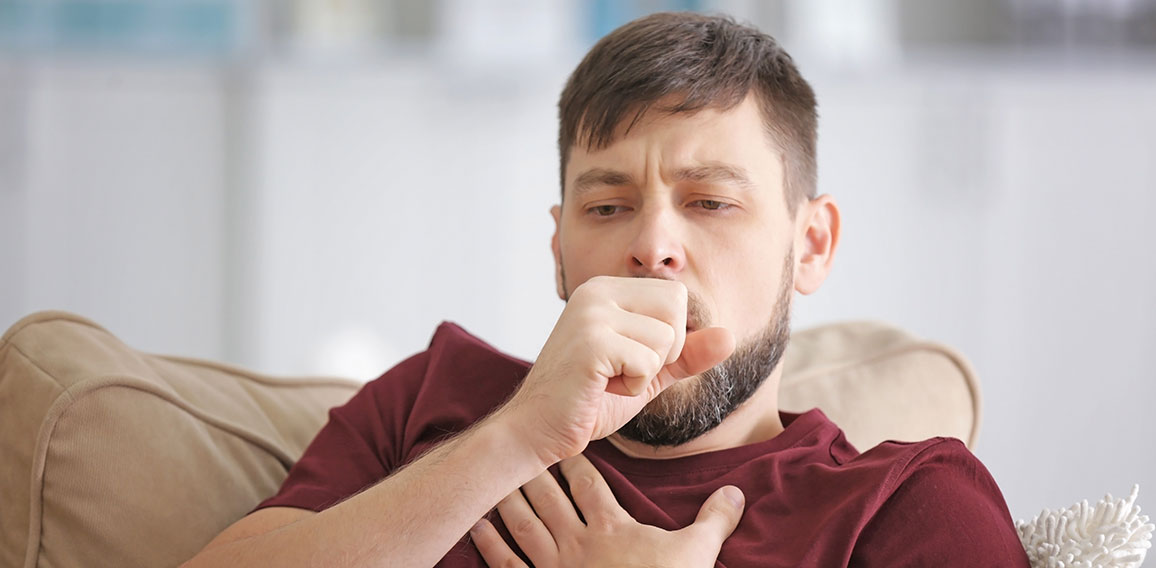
x: 116, y: 206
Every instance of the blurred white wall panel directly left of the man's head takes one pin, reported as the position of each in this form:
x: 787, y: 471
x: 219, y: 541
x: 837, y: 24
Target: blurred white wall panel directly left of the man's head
x: 391, y: 200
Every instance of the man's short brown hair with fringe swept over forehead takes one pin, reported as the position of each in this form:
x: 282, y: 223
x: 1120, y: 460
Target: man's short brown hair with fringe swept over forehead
x: 699, y: 62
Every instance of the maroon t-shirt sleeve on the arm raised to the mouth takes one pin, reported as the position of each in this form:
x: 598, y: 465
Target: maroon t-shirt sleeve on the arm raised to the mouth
x: 355, y: 449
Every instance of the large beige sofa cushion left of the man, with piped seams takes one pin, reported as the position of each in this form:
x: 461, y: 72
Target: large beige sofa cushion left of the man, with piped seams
x: 116, y: 458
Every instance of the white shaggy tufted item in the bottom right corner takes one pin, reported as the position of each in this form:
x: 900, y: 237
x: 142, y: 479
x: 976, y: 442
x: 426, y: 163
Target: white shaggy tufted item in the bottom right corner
x: 1110, y: 535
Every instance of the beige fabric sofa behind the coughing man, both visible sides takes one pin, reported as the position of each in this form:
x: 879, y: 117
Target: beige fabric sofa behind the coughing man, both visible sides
x: 115, y: 458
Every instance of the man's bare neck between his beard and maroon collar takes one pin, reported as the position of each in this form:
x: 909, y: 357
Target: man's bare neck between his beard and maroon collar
x: 757, y: 421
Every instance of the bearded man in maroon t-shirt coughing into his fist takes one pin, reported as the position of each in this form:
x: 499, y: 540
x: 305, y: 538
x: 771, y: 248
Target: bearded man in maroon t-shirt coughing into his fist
x: 688, y: 219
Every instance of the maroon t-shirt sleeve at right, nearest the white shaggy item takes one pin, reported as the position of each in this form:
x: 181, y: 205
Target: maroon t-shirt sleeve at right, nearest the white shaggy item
x: 946, y: 512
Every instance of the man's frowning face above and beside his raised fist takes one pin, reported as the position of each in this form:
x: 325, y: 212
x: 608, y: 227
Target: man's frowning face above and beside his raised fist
x: 696, y: 198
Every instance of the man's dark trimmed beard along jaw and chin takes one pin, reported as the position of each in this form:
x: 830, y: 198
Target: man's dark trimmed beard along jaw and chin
x: 695, y: 407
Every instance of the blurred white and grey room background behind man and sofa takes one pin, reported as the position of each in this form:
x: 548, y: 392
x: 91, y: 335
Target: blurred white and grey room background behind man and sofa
x: 310, y: 187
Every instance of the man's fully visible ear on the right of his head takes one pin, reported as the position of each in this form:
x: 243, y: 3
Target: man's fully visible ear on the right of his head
x: 818, y: 223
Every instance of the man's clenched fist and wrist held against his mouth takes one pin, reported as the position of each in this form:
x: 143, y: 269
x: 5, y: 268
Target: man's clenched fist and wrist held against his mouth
x: 619, y: 343
